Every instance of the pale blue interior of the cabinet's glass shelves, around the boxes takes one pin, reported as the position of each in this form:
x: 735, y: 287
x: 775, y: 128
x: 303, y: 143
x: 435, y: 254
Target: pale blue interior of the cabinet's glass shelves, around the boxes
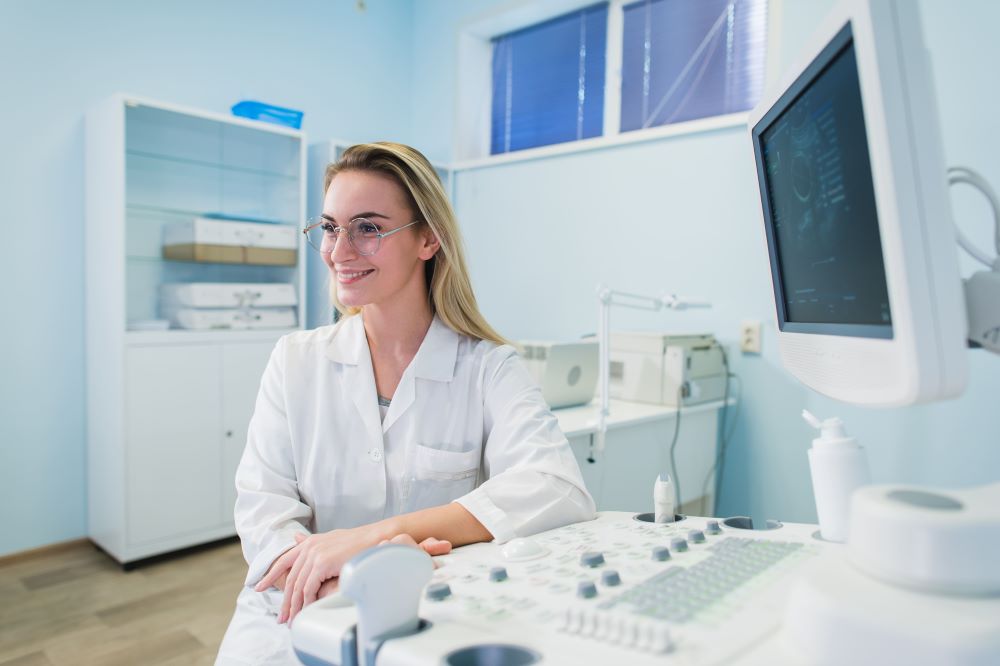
x: 179, y: 167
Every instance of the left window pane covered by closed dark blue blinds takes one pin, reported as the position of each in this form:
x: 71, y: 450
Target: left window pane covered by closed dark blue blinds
x: 548, y: 81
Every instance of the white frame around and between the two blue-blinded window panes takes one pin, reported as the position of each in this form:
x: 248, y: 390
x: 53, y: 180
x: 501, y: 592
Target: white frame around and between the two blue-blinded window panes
x: 471, y: 139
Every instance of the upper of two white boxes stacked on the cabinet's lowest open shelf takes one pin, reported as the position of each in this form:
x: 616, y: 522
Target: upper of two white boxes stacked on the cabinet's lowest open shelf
x: 228, y: 294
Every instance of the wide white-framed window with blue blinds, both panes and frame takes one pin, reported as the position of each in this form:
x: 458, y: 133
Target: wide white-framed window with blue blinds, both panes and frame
x: 555, y: 72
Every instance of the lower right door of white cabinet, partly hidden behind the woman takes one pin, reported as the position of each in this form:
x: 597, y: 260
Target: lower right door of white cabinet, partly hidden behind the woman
x: 242, y: 367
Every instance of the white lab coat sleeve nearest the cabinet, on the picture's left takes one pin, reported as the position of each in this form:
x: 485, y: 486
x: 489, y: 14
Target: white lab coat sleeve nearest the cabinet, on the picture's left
x: 269, y: 510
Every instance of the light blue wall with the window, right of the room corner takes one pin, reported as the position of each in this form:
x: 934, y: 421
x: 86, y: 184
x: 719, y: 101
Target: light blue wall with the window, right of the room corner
x: 681, y: 215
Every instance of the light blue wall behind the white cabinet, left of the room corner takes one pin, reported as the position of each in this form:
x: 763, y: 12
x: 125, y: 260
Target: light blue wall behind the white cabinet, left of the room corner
x: 347, y: 70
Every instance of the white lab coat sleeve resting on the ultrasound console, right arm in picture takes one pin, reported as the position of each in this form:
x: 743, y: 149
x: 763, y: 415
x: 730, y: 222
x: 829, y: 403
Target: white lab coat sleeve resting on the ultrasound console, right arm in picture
x: 533, y: 480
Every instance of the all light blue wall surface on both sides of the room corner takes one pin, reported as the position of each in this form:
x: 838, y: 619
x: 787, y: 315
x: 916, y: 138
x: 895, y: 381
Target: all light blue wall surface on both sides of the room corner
x: 540, y: 234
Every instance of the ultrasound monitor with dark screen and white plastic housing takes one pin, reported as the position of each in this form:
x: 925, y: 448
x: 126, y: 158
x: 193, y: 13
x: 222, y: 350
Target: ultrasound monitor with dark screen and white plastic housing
x: 856, y: 216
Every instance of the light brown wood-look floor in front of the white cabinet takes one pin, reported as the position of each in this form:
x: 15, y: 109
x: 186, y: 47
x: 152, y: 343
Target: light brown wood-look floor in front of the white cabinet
x: 76, y: 606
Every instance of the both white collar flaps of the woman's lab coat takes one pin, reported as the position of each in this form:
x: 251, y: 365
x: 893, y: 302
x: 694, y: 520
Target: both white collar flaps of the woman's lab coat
x: 435, y: 359
